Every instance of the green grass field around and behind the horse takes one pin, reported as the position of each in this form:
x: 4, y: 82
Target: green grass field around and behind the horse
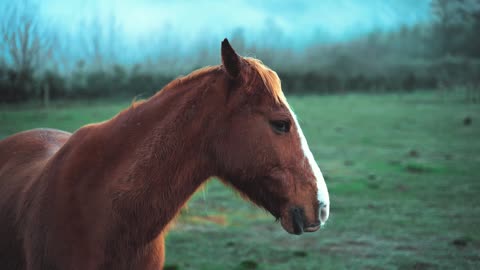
x: 403, y: 173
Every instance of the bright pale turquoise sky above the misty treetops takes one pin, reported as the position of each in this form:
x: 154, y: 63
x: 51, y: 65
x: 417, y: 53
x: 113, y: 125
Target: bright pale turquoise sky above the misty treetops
x: 298, y: 20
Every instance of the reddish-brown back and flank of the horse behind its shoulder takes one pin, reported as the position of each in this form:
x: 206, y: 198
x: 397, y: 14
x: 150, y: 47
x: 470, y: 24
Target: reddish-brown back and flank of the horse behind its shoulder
x: 22, y: 158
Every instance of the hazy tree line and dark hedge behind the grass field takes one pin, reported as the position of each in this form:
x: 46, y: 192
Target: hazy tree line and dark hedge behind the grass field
x: 442, y: 53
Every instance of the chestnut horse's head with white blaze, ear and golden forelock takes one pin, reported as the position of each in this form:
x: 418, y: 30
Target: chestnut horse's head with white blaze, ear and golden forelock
x: 262, y: 152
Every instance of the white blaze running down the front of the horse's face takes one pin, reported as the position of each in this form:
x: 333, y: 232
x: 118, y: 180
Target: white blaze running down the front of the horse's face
x: 322, y: 195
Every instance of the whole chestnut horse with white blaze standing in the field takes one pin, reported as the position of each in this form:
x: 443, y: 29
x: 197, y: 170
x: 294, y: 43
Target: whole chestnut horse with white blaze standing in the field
x: 102, y: 198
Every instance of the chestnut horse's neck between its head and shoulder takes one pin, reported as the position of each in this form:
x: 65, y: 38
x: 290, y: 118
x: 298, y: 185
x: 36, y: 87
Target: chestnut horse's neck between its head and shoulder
x: 160, y: 148
